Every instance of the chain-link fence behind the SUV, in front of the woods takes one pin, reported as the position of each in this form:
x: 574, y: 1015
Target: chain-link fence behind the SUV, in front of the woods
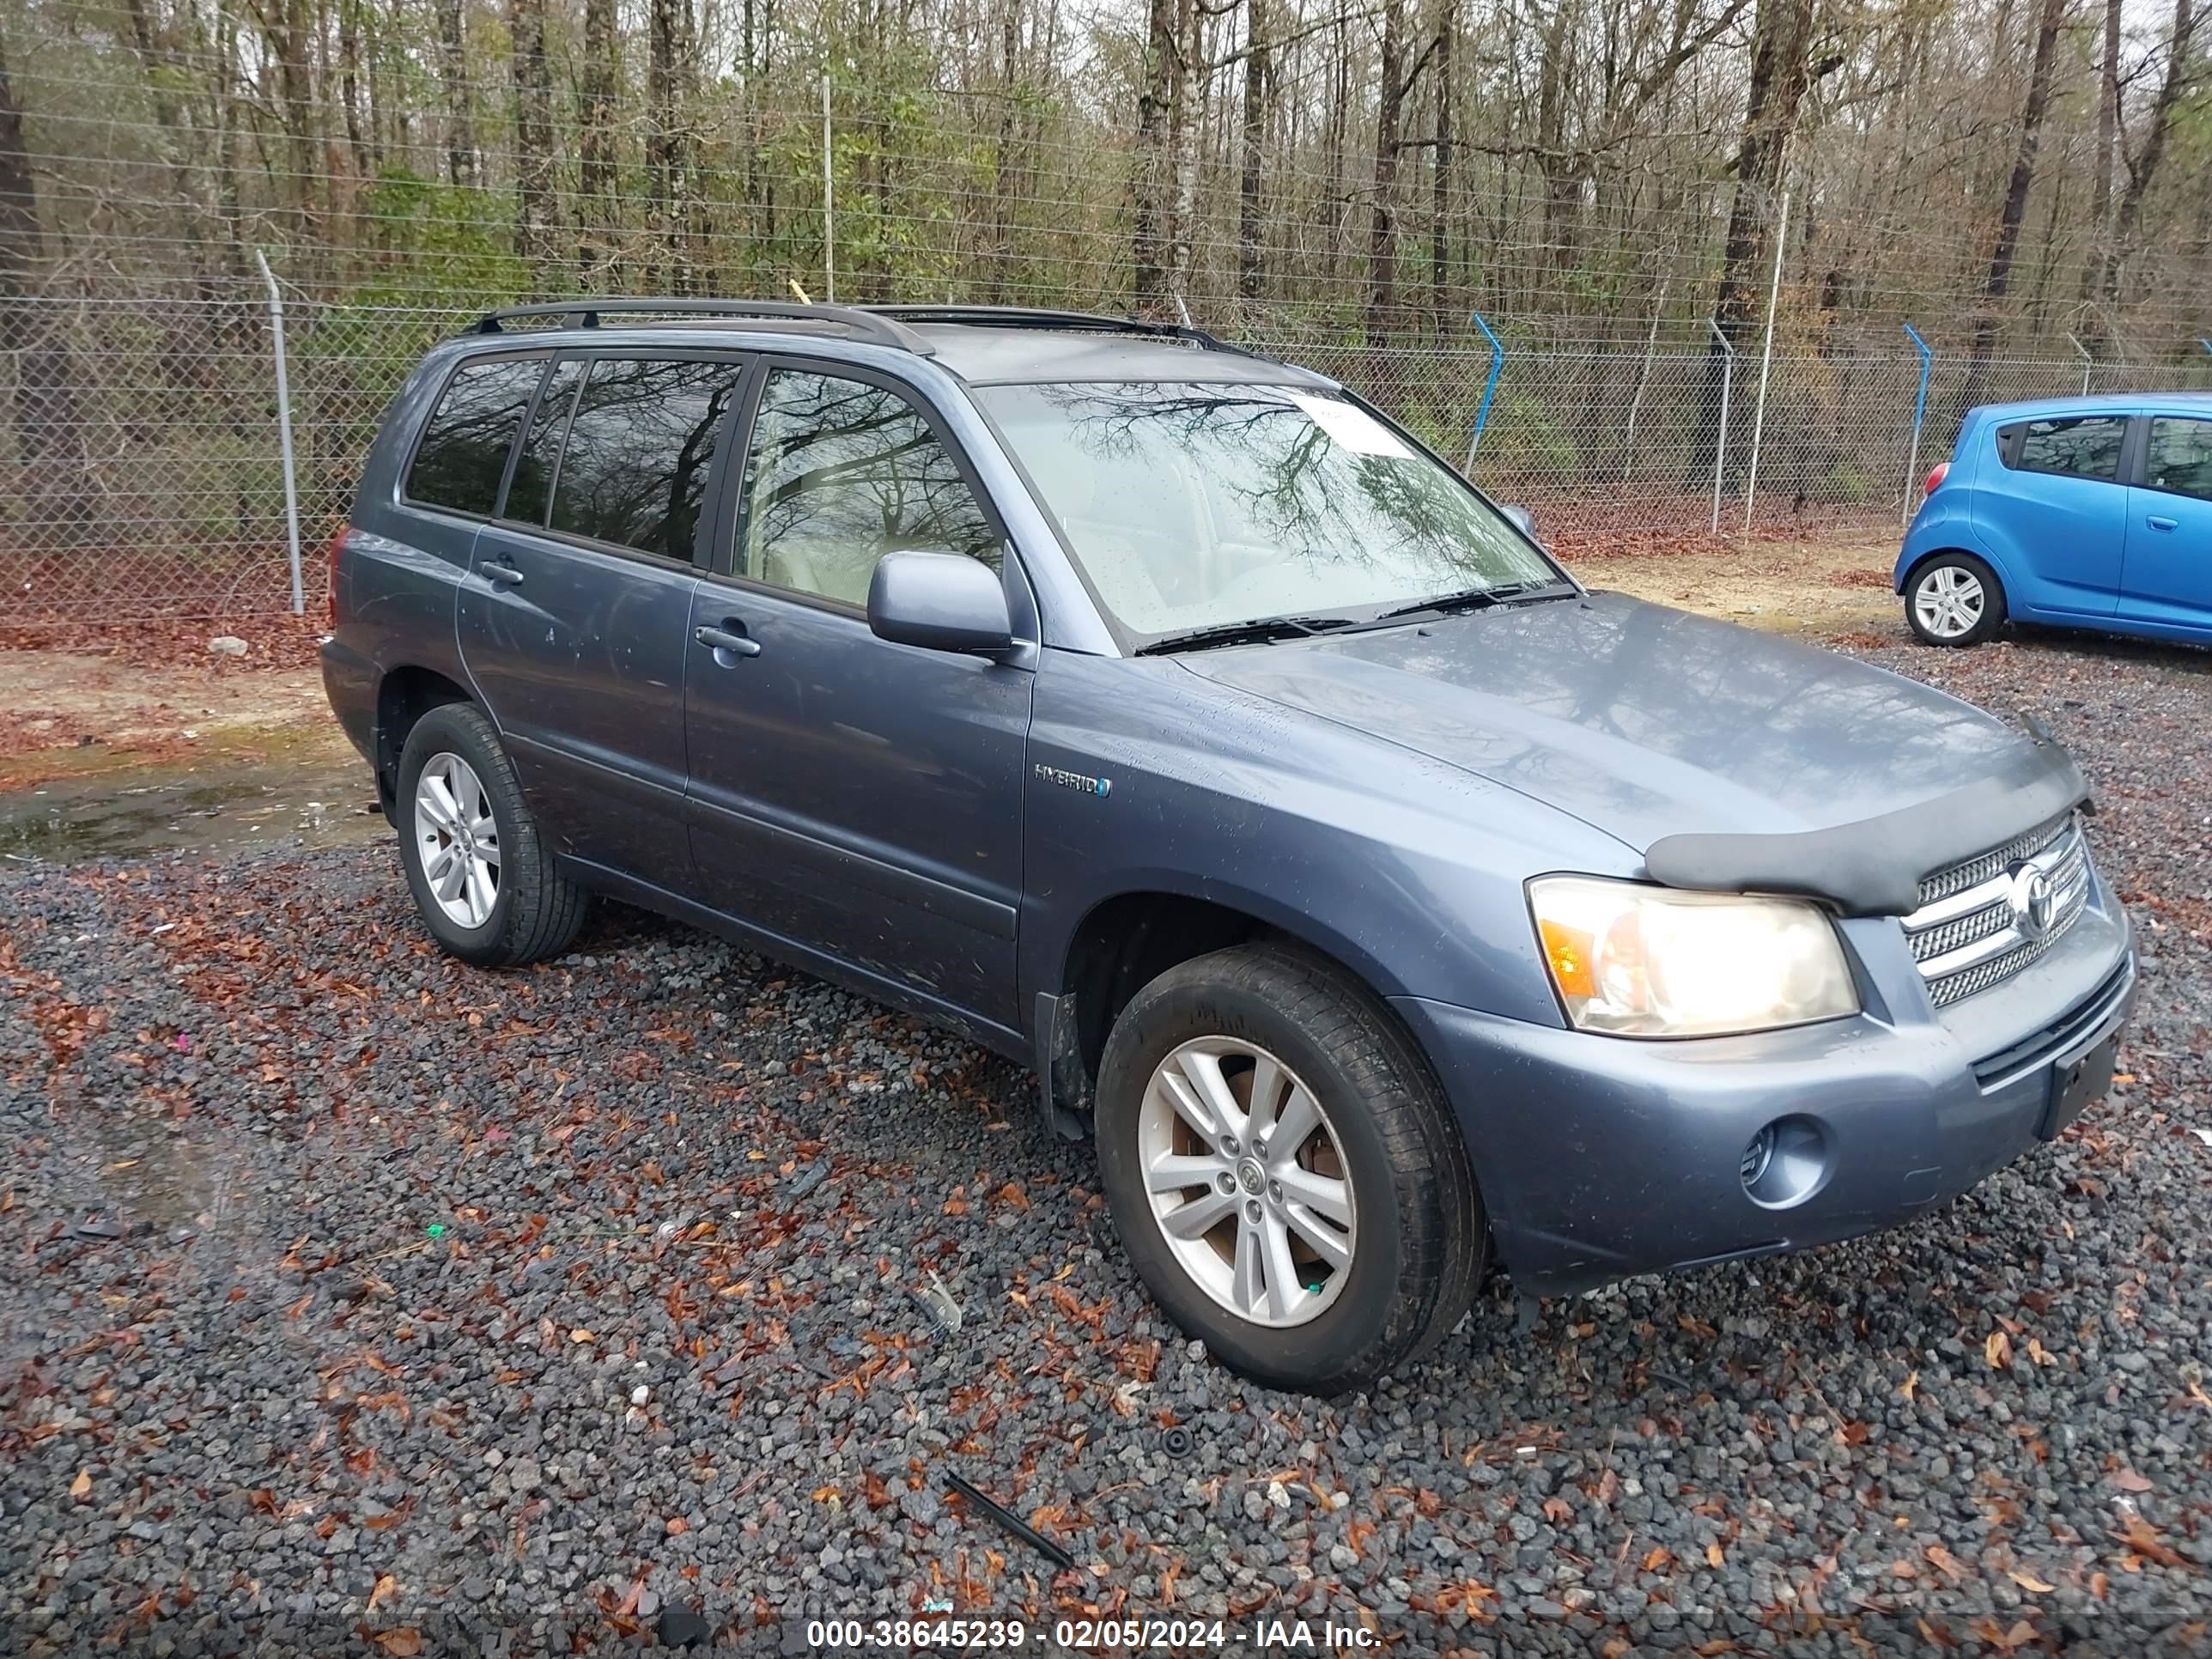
x: 145, y: 470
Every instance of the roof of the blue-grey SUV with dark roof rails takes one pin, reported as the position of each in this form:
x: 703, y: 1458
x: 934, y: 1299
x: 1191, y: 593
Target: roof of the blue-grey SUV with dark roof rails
x: 981, y: 346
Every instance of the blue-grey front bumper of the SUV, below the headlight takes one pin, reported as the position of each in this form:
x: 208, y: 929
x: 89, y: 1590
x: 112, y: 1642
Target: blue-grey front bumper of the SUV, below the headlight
x: 1603, y: 1158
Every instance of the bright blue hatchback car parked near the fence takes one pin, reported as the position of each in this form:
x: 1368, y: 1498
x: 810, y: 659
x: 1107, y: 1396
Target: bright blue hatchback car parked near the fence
x: 2072, y: 512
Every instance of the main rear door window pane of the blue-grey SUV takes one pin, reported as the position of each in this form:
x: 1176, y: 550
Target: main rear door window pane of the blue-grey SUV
x: 640, y: 448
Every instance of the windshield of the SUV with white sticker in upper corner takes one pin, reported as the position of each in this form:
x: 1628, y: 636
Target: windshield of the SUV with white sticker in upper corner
x: 1204, y: 505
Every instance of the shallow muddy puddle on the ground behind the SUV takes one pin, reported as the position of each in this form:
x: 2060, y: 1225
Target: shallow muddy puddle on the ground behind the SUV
x: 211, y: 806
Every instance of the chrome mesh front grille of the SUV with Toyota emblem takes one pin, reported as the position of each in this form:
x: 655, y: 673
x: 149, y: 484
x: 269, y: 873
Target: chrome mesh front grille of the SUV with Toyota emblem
x: 1970, y: 935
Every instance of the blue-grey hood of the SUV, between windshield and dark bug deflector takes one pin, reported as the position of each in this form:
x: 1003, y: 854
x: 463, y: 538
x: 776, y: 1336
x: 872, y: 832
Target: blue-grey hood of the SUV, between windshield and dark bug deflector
x: 1638, y: 720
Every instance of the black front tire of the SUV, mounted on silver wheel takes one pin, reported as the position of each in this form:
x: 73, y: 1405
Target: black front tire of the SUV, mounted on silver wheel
x: 1419, y: 1235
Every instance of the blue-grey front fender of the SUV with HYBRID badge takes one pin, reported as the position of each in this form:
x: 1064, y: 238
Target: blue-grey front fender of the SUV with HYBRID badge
x: 1406, y: 870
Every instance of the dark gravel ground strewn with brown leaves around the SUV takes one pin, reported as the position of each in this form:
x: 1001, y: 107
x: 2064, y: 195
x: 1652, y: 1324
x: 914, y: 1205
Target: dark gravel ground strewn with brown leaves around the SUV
x: 368, y: 1304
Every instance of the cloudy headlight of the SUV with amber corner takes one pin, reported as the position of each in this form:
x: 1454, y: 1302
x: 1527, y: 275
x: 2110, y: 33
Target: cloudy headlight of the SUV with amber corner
x: 1658, y: 963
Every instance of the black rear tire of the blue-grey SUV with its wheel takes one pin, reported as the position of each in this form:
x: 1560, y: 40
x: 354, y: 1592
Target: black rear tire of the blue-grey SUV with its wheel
x: 534, y: 910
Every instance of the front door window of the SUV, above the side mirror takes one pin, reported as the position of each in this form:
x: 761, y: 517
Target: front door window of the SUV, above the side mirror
x: 844, y: 472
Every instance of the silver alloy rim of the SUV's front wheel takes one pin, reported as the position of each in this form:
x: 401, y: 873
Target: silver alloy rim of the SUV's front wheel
x: 1246, y: 1180
